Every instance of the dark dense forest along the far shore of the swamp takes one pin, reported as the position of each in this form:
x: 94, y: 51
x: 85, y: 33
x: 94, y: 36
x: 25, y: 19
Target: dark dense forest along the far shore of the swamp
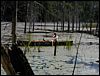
x: 50, y: 11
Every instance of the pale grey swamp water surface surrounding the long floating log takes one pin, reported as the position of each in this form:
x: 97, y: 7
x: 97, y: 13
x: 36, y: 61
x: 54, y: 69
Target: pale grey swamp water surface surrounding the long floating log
x: 45, y: 63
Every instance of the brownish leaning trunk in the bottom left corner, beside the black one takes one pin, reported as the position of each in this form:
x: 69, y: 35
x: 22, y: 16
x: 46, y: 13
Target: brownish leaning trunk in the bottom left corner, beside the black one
x: 6, y: 63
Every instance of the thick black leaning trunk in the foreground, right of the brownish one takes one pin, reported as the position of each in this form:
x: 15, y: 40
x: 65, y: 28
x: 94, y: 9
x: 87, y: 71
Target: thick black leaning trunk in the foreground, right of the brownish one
x: 20, y: 62
